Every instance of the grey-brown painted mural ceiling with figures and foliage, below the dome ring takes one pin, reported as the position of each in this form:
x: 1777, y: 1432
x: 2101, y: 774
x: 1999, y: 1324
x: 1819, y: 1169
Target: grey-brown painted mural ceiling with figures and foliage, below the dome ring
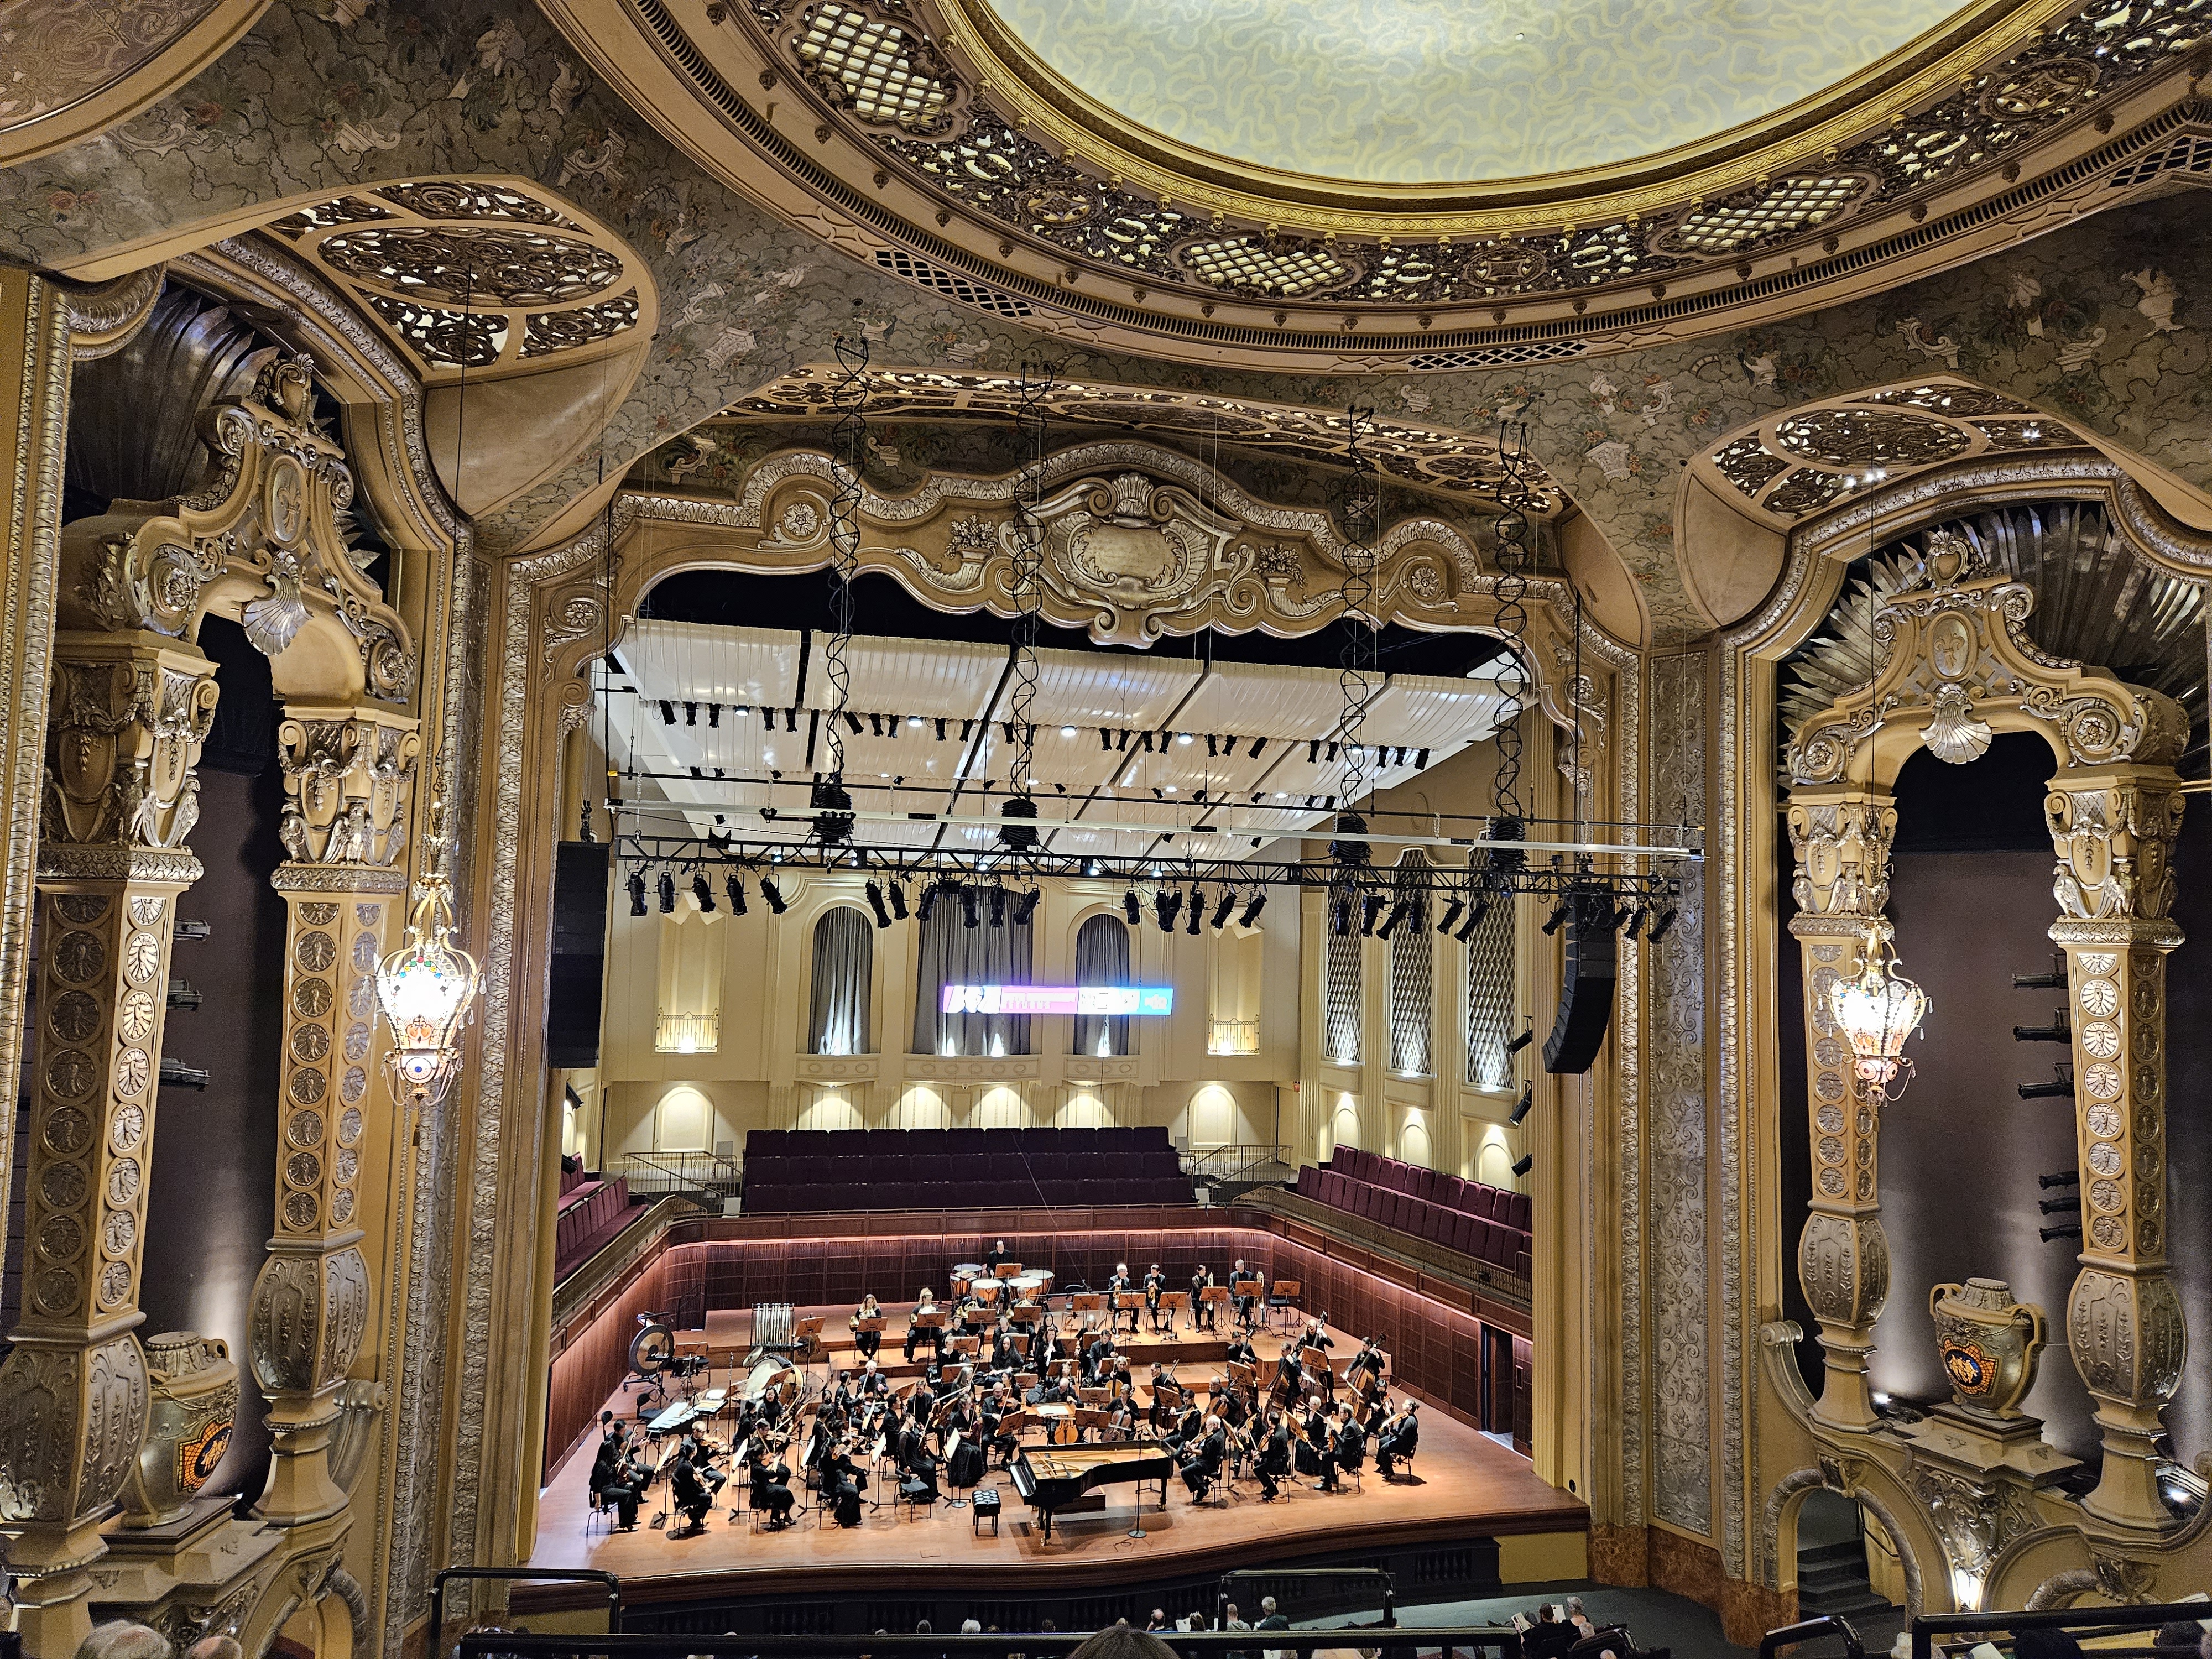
x: 2098, y: 324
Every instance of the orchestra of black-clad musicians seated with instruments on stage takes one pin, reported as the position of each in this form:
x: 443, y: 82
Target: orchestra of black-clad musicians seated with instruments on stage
x: 1008, y: 1375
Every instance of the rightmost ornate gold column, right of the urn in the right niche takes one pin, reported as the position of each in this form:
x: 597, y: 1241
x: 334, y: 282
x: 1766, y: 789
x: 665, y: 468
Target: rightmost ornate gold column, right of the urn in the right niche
x: 2114, y: 831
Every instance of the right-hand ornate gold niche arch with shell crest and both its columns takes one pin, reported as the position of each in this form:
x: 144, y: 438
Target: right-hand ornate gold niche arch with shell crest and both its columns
x: 1957, y: 667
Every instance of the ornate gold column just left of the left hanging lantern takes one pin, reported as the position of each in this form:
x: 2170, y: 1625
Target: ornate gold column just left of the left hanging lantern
x: 348, y: 775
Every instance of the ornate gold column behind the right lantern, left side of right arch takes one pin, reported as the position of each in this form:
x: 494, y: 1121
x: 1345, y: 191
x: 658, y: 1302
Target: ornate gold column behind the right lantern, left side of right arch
x: 1841, y: 835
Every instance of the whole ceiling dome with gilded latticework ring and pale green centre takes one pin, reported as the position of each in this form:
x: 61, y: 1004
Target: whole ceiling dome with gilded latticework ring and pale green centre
x: 1421, y: 185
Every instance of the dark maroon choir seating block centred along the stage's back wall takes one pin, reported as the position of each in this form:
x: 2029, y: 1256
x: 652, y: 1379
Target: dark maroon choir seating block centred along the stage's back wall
x: 804, y: 1171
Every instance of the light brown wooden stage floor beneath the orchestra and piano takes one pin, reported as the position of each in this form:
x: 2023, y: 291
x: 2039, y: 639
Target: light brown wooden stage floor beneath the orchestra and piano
x: 1461, y: 1485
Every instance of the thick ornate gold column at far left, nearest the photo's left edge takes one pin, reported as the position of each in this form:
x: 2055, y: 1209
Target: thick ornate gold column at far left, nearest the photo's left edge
x: 127, y: 720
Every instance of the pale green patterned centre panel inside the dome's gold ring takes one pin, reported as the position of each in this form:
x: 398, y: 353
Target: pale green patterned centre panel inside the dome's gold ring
x: 1441, y: 92
